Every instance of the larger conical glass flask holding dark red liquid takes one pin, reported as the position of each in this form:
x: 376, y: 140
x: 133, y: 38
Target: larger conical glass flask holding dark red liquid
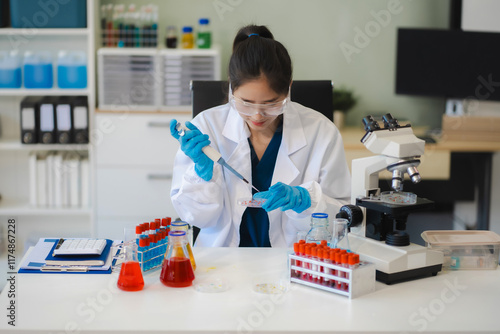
x: 177, y: 270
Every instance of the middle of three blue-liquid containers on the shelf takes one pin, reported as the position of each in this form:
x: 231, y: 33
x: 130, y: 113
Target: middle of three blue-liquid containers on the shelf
x: 38, y: 71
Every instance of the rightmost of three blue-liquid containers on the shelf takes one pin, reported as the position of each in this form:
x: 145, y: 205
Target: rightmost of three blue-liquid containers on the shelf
x: 72, y: 69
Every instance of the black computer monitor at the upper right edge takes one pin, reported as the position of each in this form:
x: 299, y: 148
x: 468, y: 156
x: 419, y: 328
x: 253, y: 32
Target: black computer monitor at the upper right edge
x: 453, y: 64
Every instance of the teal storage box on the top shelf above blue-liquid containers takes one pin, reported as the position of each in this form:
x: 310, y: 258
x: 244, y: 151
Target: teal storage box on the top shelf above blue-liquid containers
x: 48, y: 14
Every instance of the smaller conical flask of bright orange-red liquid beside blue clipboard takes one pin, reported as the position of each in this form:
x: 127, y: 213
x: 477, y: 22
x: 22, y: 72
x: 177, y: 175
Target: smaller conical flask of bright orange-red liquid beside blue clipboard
x: 130, y: 278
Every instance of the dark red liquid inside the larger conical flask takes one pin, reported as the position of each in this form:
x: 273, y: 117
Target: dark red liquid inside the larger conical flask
x: 177, y: 272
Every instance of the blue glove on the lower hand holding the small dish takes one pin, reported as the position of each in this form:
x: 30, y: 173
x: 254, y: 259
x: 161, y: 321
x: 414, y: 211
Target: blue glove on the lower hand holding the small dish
x: 285, y: 197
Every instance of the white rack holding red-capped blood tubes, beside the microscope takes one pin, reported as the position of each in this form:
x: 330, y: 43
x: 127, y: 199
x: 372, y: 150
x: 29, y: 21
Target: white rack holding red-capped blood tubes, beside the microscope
x: 353, y: 282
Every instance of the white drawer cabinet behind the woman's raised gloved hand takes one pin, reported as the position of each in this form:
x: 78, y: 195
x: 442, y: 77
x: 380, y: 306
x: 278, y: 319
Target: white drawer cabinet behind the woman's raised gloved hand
x: 134, y: 162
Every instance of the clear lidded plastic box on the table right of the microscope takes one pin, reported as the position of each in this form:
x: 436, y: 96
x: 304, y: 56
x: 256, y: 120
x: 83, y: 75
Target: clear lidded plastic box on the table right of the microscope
x: 465, y: 249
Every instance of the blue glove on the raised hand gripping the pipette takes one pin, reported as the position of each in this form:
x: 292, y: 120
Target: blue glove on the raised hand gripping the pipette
x: 191, y: 144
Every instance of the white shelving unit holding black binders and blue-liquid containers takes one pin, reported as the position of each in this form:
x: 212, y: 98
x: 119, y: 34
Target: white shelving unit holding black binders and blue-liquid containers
x: 14, y: 156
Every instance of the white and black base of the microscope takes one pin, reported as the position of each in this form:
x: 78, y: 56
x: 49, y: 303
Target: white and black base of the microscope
x: 397, y: 264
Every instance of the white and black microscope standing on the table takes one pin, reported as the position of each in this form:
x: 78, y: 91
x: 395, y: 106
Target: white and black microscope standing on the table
x: 378, y: 220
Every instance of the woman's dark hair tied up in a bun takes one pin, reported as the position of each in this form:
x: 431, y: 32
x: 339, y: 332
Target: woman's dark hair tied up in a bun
x: 257, y: 55
